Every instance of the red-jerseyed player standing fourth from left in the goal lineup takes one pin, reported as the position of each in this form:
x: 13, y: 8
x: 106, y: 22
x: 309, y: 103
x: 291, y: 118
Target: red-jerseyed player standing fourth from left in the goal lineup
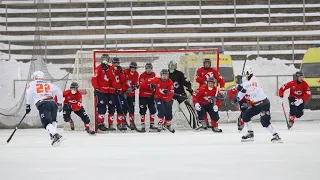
x: 146, y: 98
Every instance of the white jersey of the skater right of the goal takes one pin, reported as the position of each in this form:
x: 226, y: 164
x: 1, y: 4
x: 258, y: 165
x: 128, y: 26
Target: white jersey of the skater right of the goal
x: 254, y: 90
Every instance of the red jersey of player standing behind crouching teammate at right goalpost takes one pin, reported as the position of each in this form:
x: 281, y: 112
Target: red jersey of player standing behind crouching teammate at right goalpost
x: 202, y: 73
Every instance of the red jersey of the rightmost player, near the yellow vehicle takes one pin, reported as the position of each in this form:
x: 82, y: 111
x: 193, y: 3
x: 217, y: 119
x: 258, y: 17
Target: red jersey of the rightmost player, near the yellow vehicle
x: 298, y: 91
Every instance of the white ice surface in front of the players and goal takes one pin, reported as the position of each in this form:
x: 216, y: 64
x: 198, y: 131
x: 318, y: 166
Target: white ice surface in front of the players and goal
x: 185, y: 155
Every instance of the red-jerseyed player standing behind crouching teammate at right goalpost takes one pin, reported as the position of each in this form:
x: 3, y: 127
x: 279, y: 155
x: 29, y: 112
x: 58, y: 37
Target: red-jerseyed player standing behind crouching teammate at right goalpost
x: 206, y: 72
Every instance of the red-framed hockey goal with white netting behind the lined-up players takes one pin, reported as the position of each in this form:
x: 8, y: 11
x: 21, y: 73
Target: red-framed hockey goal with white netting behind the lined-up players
x: 188, y: 61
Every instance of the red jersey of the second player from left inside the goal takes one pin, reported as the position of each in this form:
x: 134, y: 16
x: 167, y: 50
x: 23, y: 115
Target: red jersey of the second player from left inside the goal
x: 117, y: 82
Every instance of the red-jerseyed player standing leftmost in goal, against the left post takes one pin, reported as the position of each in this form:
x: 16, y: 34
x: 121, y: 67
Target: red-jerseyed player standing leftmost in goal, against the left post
x: 101, y: 82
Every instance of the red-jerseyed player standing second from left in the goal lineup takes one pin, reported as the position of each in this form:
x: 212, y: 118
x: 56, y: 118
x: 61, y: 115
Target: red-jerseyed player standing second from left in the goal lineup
x: 116, y: 97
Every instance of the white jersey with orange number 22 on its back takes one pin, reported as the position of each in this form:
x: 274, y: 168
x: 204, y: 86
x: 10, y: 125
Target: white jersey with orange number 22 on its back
x: 40, y: 90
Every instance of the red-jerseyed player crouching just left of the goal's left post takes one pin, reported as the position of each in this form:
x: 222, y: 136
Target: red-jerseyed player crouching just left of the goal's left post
x: 73, y: 102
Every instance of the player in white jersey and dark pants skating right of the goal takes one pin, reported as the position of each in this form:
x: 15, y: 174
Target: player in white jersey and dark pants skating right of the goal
x: 259, y: 104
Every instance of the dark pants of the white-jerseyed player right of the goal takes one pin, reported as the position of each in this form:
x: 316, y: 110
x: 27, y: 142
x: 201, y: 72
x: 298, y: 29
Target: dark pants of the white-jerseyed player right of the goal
x: 262, y: 107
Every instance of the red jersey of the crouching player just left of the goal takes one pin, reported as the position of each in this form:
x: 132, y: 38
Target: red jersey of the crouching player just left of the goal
x: 75, y: 100
